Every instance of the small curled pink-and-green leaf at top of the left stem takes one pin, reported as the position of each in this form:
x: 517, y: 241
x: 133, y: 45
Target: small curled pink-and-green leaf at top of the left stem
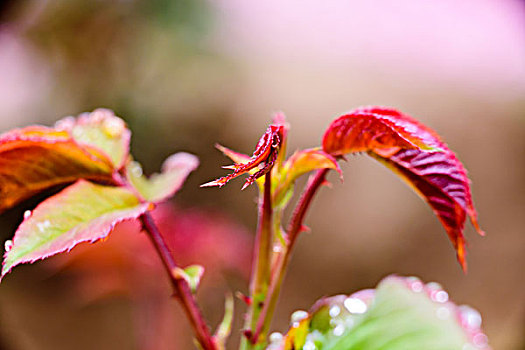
x: 164, y: 185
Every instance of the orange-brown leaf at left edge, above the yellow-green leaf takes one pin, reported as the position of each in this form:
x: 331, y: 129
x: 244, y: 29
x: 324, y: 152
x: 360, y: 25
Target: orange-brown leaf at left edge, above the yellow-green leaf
x: 35, y: 158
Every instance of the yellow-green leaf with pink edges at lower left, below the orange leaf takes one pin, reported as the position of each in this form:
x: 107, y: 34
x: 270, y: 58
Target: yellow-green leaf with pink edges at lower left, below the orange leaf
x: 83, y: 212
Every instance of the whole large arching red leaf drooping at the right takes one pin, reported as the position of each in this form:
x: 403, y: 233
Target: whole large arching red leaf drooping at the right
x: 418, y: 155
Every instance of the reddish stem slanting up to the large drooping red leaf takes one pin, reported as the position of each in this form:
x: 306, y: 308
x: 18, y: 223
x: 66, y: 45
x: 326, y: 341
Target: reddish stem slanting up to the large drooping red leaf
x: 281, y: 264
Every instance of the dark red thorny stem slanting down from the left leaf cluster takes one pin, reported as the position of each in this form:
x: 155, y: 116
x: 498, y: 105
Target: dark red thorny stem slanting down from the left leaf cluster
x: 180, y: 285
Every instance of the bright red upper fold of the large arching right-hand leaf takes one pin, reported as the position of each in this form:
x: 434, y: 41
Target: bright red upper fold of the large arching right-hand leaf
x: 370, y: 128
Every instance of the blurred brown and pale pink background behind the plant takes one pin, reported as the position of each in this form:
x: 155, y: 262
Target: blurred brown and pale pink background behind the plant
x: 188, y: 73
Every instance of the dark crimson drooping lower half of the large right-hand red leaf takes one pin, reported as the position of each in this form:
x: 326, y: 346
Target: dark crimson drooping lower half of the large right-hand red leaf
x: 441, y: 180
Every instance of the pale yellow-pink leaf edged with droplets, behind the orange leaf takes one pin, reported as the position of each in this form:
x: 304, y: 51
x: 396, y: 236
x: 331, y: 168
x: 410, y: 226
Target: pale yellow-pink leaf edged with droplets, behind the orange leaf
x: 101, y: 130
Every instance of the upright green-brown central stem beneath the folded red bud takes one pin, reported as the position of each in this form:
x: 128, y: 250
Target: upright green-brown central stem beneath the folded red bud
x: 261, y: 260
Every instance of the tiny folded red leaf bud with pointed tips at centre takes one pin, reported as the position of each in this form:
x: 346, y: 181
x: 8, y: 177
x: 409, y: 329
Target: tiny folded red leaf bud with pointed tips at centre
x: 261, y: 161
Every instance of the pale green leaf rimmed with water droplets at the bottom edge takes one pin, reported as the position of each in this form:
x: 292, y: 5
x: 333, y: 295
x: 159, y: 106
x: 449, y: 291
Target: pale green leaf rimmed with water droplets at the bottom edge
x: 401, y: 314
